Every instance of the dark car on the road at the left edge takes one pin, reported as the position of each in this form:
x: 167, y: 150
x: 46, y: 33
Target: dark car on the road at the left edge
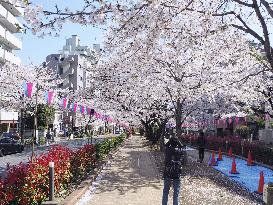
x: 9, y: 146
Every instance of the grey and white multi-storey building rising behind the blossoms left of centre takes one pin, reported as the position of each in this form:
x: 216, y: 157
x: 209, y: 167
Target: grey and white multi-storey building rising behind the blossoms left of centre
x: 73, y: 64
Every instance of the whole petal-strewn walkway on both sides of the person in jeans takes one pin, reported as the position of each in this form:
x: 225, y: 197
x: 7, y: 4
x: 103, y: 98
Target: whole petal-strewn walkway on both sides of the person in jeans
x: 134, y: 179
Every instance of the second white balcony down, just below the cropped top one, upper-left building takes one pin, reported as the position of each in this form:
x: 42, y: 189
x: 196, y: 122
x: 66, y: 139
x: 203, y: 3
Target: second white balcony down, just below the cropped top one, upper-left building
x: 8, y: 20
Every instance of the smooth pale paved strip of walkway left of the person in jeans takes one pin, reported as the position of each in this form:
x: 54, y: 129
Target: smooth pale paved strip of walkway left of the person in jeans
x: 131, y: 179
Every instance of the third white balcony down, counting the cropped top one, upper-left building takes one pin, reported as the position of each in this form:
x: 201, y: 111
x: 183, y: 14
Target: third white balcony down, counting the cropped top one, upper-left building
x: 9, y: 39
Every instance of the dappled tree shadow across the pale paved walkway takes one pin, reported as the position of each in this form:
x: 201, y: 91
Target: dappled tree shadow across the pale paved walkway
x: 130, y: 172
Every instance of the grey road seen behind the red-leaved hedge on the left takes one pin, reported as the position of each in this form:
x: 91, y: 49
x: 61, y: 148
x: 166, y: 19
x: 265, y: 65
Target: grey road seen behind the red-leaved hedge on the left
x: 14, y: 159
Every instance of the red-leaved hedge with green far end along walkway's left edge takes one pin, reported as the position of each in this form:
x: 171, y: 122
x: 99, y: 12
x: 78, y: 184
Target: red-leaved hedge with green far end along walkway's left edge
x: 28, y: 183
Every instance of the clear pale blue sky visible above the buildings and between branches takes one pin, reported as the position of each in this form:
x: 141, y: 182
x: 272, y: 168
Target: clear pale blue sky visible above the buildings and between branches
x: 36, y: 49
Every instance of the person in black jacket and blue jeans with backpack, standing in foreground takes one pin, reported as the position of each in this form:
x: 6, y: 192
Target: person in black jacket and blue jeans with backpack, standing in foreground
x: 173, y: 153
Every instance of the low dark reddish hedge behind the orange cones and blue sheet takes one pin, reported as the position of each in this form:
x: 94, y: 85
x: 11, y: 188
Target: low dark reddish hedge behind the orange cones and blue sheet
x: 260, y: 152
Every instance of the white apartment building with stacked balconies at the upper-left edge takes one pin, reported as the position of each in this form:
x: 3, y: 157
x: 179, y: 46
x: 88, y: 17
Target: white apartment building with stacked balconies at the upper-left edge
x: 9, y: 25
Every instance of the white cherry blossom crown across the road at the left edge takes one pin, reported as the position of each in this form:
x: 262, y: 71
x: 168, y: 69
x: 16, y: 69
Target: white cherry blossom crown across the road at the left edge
x: 13, y: 77
